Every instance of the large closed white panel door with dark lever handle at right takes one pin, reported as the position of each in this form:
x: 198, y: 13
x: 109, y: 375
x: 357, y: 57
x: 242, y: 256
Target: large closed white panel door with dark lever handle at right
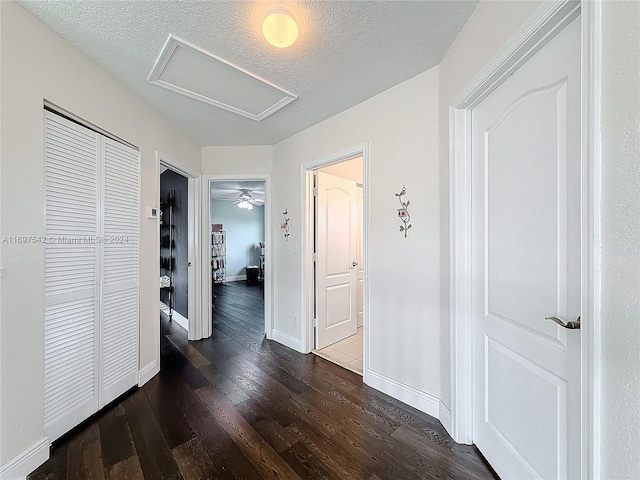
x: 526, y: 266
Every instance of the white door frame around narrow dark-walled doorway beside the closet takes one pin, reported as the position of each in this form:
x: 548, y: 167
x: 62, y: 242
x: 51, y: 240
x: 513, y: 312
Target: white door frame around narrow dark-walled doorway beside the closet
x: 194, y: 273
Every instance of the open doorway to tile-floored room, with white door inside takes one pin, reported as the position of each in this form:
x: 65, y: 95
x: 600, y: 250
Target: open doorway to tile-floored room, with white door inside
x: 338, y: 269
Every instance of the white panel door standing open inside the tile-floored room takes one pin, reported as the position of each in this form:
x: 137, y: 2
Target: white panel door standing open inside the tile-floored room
x: 336, y: 272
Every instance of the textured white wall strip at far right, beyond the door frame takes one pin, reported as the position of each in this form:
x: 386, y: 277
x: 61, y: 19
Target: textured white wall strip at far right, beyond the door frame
x: 621, y: 240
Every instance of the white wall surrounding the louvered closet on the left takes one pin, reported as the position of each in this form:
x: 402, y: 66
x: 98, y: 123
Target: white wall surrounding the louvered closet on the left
x: 37, y: 64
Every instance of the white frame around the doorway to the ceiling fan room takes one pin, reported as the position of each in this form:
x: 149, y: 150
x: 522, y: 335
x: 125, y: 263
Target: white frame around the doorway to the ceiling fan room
x: 206, y: 242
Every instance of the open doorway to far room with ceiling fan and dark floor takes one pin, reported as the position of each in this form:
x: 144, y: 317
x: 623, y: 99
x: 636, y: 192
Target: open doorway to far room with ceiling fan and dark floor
x: 237, y: 214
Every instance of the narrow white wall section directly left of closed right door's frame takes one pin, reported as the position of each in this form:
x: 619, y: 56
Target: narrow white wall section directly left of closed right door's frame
x: 486, y: 31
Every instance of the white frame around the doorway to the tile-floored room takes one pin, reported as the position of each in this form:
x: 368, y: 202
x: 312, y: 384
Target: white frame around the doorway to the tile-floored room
x: 307, y: 281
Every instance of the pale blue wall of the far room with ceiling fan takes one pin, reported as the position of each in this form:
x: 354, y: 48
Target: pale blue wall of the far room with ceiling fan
x: 244, y: 230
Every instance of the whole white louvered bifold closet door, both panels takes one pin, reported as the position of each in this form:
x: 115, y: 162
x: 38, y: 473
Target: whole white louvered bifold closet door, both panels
x: 92, y: 190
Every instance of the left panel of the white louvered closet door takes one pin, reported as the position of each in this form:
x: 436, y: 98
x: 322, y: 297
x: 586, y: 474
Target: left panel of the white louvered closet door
x: 71, y: 312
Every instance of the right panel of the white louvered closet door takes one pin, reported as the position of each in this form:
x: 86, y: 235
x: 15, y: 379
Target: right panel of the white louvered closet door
x: 121, y: 219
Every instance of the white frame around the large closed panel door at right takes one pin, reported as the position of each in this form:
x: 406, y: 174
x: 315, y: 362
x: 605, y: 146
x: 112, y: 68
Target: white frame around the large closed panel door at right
x: 544, y: 24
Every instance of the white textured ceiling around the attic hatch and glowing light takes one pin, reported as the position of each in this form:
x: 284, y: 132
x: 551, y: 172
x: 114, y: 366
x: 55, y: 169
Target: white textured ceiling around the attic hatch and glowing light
x: 347, y: 51
